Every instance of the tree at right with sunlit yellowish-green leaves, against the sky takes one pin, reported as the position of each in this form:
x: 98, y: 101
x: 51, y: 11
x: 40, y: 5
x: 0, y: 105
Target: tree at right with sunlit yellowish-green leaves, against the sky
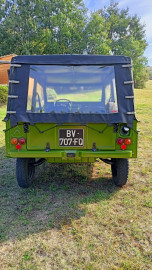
x: 126, y: 35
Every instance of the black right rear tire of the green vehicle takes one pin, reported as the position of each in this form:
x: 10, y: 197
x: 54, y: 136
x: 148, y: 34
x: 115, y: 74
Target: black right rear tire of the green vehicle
x: 120, y: 171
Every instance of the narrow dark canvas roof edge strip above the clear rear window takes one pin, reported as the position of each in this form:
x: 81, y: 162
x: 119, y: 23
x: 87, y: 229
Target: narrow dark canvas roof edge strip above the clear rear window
x: 71, y: 59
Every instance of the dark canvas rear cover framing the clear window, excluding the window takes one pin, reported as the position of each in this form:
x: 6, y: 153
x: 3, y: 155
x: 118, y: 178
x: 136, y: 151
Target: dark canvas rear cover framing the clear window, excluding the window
x: 19, y: 80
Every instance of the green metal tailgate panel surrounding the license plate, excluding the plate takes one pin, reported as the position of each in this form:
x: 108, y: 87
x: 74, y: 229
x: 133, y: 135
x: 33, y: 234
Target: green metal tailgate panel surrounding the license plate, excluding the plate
x: 100, y: 136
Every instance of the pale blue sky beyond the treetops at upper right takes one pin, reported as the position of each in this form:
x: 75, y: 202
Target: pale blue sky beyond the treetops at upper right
x: 143, y: 9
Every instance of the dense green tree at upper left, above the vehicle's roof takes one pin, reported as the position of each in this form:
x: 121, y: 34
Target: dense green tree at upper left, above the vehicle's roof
x: 41, y: 26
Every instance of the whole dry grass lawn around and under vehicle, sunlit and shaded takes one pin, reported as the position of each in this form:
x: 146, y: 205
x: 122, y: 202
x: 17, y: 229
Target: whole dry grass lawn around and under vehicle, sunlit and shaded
x: 73, y: 217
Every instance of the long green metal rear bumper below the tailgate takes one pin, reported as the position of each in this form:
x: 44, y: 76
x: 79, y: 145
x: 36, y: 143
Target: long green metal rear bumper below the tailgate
x: 75, y: 155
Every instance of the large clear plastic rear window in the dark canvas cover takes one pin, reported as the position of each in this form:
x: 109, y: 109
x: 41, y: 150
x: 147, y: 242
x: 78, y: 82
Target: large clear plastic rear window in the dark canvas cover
x: 72, y: 89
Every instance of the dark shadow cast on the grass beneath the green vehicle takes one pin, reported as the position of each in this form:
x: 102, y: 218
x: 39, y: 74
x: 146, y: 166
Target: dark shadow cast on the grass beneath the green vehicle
x: 59, y: 194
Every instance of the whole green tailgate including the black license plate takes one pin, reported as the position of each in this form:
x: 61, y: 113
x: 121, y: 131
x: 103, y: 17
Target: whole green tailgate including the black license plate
x: 68, y: 136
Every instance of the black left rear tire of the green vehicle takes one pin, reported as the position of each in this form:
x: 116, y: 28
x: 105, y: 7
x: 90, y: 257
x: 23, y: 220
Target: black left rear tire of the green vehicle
x: 25, y: 171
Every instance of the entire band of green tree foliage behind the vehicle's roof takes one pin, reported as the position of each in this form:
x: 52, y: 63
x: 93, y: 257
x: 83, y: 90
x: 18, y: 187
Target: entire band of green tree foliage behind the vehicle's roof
x: 64, y: 27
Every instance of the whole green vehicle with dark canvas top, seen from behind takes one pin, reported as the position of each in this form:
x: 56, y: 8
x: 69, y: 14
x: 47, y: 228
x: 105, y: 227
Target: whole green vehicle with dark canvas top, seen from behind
x: 71, y: 109
